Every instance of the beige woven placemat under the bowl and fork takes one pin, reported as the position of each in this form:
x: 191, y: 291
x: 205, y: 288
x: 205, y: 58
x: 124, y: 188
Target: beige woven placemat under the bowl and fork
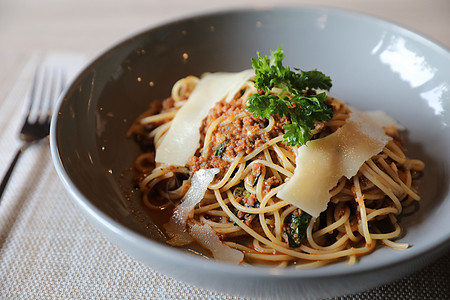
x: 49, y: 251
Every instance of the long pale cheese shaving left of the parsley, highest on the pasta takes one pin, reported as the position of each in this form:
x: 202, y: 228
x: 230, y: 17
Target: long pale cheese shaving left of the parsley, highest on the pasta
x: 183, y: 137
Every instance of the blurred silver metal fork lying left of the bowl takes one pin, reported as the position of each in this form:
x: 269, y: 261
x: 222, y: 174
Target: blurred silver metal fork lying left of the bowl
x: 48, y: 82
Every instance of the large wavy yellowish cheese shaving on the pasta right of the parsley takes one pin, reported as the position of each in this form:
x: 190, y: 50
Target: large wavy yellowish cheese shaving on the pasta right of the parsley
x: 322, y: 162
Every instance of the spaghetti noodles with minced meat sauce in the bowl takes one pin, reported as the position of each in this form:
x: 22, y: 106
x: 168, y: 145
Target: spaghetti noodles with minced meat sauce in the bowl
x: 241, y: 204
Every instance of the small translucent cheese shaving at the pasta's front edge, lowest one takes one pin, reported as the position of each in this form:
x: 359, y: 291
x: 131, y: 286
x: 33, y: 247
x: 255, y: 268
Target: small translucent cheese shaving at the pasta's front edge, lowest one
x: 208, y: 238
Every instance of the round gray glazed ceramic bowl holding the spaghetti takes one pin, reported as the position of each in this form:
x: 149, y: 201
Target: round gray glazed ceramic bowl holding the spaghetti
x: 374, y: 65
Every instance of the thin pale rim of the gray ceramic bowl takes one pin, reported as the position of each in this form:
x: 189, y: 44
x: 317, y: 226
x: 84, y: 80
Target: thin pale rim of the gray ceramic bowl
x: 181, y: 256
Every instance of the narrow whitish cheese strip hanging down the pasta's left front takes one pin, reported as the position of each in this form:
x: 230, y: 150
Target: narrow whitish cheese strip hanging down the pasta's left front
x: 176, y: 227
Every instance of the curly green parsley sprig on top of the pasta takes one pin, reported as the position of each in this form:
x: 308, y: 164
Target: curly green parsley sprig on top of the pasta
x: 303, y: 107
